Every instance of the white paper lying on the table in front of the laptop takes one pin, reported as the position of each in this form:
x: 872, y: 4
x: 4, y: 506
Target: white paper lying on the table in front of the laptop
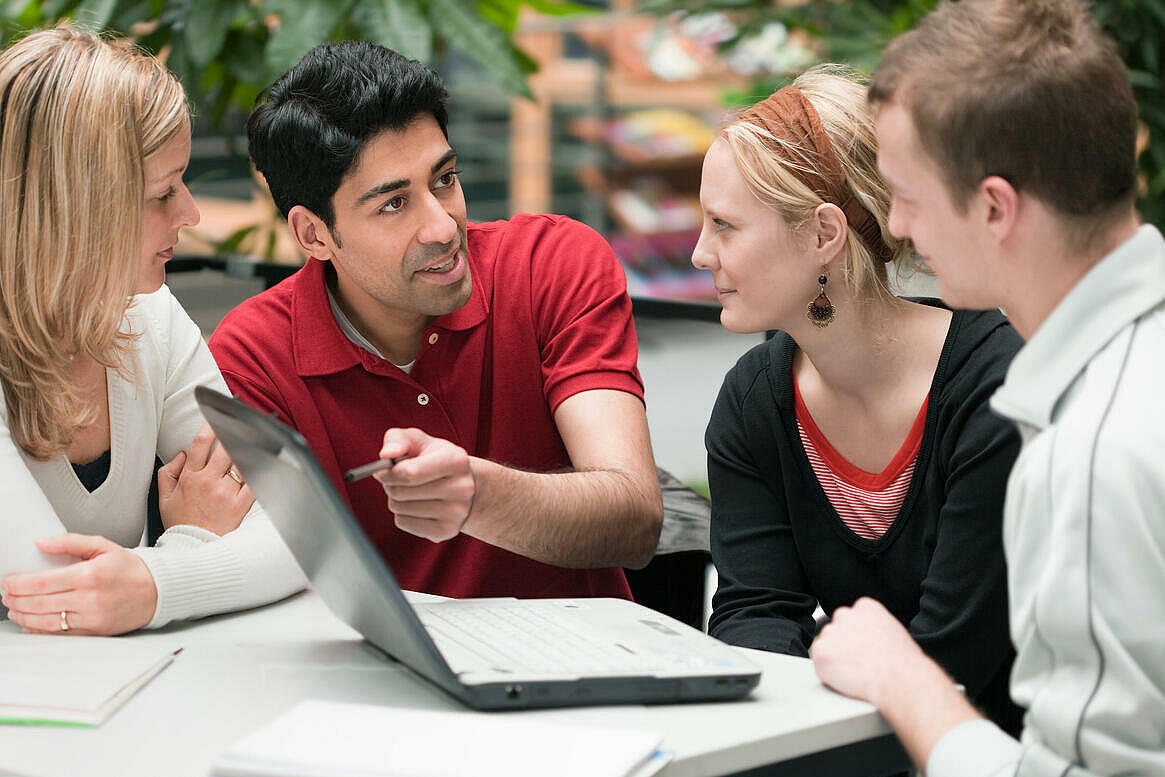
x: 317, y: 739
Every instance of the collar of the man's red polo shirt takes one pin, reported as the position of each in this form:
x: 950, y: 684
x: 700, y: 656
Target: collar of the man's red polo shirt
x: 319, y: 344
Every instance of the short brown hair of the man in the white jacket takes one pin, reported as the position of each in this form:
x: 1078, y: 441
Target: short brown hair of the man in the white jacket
x: 1028, y: 90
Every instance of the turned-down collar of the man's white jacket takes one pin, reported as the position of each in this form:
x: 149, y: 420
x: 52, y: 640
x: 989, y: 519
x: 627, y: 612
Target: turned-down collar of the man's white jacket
x: 1122, y: 287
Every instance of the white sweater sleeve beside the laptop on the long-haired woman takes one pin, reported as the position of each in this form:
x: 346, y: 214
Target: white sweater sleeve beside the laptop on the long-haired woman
x: 197, y: 573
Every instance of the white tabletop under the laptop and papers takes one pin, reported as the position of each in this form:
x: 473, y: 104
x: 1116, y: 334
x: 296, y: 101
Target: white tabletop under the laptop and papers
x: 238, y: 672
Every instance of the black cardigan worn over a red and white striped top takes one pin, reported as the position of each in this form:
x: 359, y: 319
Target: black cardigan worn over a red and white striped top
x: 780, y: 548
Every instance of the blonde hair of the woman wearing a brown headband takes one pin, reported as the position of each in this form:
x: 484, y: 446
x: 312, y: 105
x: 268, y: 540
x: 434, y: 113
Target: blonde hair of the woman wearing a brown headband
x: 839, y: 98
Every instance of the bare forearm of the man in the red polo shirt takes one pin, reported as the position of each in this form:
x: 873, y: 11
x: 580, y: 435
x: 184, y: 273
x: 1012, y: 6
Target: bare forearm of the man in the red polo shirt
x: 580, y: 520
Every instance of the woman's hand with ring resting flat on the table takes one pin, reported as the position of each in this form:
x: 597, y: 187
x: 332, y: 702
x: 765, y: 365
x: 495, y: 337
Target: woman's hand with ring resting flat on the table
x: 108, y: 591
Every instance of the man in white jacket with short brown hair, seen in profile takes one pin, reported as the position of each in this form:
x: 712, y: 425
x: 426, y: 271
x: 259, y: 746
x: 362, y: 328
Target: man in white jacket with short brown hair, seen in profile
x: 1007, y: 131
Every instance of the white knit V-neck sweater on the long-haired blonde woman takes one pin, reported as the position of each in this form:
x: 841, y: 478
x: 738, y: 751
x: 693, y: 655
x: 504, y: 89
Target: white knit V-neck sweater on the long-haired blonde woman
x: 197, y: 574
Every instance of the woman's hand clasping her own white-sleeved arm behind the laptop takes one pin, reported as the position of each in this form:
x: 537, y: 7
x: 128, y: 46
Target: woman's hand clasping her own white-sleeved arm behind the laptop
x: 202, y: 489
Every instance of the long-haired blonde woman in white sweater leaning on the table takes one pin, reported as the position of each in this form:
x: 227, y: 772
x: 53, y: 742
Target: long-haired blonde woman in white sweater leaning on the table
x: 98, y: 362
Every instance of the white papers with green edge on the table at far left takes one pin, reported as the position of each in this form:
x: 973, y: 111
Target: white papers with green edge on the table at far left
x: 67, y: 681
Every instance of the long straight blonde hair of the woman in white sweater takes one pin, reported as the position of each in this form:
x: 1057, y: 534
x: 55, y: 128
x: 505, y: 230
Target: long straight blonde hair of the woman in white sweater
x: 80, y: 115
